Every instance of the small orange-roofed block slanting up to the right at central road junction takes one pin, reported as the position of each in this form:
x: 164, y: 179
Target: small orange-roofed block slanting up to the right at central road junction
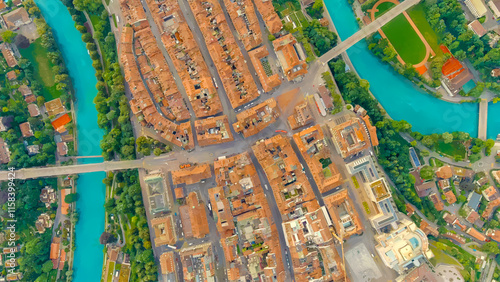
x: 253, y: 120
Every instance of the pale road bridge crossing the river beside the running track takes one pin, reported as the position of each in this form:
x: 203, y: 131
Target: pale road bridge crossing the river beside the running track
x: 367, y: 30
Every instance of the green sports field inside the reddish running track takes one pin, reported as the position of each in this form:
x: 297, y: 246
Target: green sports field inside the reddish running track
x: 405, y: 40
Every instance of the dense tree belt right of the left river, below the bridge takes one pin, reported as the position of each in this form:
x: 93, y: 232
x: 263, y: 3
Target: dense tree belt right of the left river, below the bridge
x: 129, y: 201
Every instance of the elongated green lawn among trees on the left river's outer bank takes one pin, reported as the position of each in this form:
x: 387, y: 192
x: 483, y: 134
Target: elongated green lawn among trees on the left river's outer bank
x: 43, y: 73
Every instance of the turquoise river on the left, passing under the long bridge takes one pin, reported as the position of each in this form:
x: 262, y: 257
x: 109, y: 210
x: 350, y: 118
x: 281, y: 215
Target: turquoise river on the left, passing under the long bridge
x: 88, y: 256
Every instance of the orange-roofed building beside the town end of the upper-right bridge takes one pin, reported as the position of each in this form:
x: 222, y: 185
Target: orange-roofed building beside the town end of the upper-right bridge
x: 291, y: 57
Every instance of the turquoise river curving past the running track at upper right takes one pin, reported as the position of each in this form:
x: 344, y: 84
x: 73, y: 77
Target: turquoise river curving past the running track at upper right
x: 399, y: 96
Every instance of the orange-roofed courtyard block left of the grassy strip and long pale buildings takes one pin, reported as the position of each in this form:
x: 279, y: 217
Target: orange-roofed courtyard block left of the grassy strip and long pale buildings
x: 344, y: 216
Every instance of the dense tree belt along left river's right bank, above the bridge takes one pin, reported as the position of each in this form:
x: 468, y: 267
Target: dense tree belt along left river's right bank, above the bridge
x: 111, y: 103
